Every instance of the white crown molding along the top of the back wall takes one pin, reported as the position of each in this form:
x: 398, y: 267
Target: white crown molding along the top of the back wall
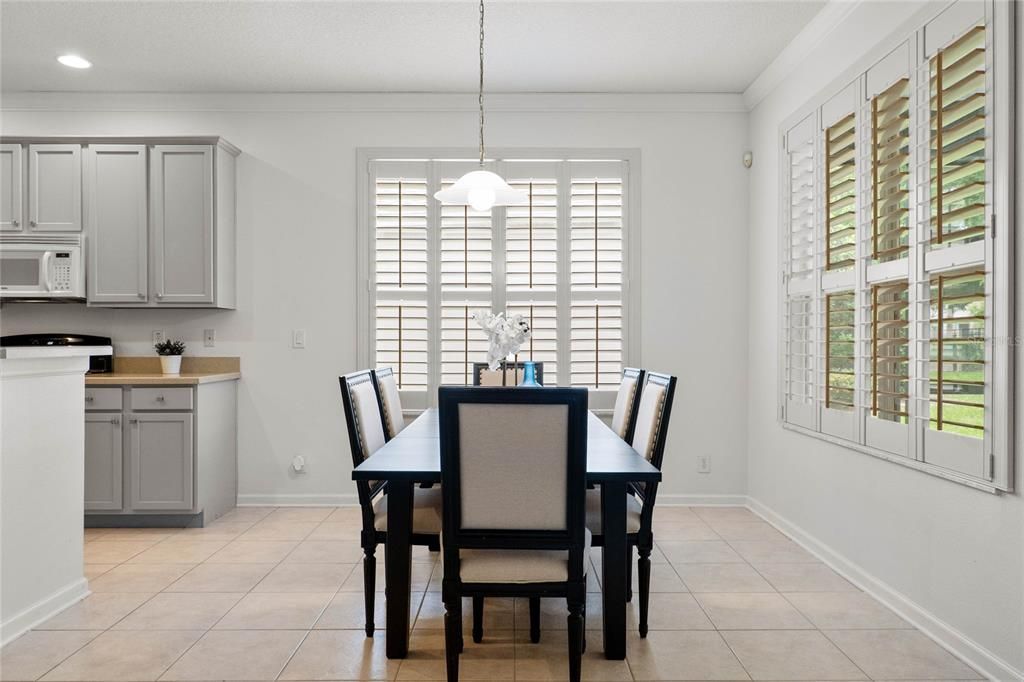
x: 360, y: 103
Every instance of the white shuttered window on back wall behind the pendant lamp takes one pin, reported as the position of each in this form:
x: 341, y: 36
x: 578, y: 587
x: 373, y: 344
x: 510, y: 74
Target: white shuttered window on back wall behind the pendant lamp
x: 561, y: 261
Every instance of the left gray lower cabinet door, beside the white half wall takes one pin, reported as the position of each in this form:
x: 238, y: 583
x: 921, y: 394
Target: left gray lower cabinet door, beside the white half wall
x: 104, y: 462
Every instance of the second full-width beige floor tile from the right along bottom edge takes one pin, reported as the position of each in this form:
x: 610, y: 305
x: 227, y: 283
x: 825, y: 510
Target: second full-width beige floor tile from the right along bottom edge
x: 791, y: 656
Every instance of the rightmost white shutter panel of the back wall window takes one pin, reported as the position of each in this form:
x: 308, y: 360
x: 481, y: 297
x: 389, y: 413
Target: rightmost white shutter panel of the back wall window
x: 596, y: 274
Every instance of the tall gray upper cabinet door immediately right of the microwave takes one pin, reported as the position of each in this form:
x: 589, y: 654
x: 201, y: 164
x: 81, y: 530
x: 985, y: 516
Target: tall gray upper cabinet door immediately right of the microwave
x: 116, y: 224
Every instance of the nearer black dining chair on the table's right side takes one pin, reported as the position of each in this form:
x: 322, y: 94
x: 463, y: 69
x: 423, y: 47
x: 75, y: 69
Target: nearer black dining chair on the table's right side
x: 649, y: 439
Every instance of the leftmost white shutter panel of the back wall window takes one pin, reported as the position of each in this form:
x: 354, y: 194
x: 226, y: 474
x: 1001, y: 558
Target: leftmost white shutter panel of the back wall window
x: 401, y: 272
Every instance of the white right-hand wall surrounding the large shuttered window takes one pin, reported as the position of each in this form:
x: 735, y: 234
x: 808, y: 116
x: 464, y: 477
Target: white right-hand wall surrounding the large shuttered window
x: 954, y: 552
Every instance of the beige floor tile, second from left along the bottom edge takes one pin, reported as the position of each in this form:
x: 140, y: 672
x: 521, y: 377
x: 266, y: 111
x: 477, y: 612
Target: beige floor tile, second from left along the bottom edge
x: 125, y: 656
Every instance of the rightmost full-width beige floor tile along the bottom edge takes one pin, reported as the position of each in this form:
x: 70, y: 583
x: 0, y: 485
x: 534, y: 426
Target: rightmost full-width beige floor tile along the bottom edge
x: 900, y: 655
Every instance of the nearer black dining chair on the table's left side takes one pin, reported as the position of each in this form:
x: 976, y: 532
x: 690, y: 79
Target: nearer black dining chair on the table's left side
x: 366, y: 436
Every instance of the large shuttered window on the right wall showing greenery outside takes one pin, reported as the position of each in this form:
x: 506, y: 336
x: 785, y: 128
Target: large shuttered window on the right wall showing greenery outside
x: 895, y: 312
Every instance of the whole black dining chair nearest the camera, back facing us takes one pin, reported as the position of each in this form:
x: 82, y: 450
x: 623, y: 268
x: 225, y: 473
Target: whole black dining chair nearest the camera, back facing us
x: 515, y: 517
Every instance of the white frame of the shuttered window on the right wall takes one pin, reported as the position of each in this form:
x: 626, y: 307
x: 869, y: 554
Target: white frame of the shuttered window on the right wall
x: 998, y: 470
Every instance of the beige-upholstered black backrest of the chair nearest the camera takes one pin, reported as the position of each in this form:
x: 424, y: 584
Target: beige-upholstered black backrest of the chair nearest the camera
x: 514, y: 472
